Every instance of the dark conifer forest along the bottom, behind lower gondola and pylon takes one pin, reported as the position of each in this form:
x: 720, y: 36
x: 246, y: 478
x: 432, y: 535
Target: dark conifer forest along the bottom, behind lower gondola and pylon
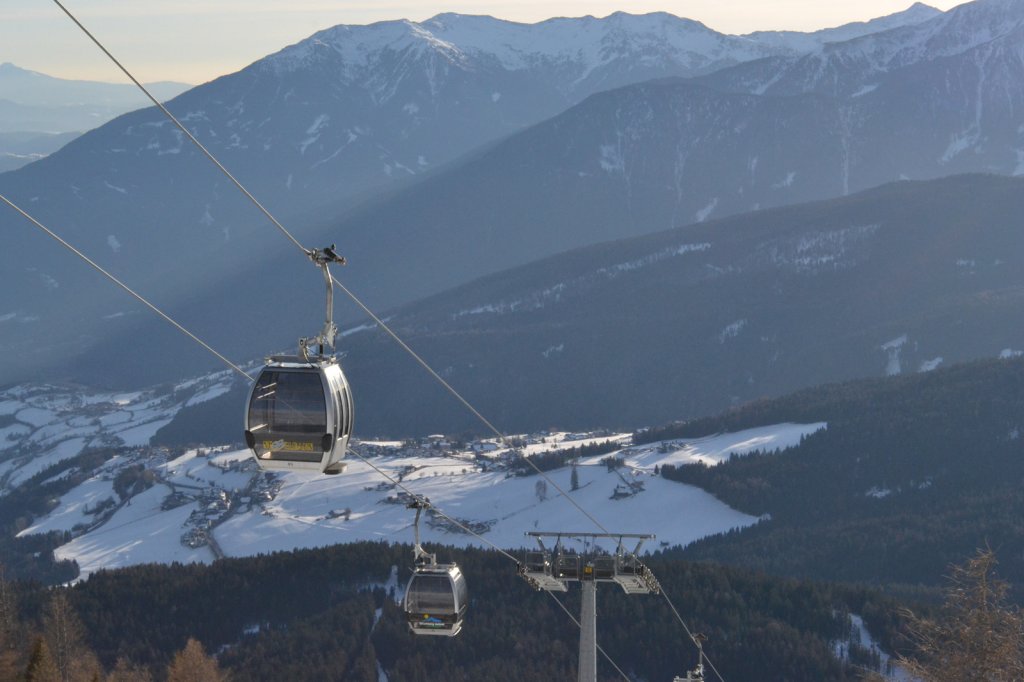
x: 314, y: 616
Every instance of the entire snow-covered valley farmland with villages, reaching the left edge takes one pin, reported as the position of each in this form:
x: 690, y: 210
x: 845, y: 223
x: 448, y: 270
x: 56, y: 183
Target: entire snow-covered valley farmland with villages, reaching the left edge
x: 198, y: 505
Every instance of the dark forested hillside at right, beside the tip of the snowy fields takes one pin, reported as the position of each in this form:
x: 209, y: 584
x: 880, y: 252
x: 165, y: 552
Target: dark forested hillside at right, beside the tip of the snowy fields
x: 912, y: 476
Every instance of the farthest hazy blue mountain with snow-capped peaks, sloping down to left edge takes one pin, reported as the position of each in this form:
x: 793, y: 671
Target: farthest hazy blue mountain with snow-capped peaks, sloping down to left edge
x: 331, y: 120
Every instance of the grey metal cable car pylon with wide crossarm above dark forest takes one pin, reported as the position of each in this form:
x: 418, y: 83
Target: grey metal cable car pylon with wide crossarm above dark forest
x: 553, y: 570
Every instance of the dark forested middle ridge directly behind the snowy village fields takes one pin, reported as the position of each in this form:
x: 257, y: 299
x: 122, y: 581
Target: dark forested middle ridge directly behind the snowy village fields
x: 900, y: 280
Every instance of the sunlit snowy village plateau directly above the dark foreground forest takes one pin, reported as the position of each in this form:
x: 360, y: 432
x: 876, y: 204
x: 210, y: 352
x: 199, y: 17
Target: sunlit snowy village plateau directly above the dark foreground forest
x: 230, y: 508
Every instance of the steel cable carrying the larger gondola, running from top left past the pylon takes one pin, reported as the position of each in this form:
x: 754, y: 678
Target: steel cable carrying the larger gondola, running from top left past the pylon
x: 380, y: 323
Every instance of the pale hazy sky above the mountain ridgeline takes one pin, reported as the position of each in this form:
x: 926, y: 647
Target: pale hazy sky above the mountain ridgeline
x: 198, y: 40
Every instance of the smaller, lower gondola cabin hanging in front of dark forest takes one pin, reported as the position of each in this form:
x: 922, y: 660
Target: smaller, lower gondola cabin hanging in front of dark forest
x: 436, y: 601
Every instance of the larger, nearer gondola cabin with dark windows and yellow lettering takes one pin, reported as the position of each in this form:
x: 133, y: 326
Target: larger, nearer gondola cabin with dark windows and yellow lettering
x: 300, y: 415
